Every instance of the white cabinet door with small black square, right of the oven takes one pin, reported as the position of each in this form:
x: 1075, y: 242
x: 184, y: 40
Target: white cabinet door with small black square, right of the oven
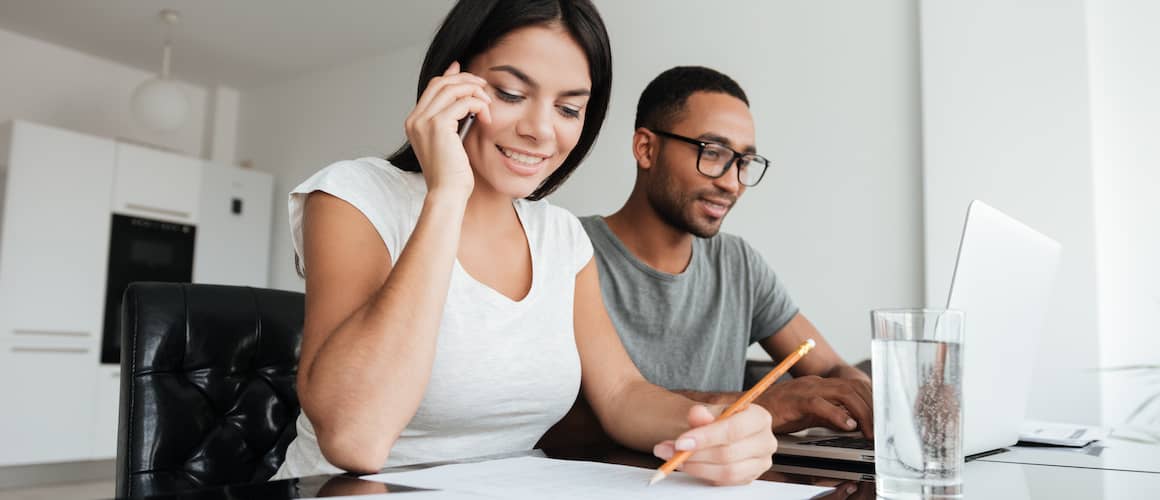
x: 234, y: 235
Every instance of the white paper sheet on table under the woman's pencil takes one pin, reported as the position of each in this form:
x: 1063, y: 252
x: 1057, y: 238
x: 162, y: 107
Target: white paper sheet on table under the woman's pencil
x: 540, y: 479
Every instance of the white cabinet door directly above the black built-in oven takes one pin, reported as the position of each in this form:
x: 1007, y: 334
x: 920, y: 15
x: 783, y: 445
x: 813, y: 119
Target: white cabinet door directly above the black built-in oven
x: 156, y: 185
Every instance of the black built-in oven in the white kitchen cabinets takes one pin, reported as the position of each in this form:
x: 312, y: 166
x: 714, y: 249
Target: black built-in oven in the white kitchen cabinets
x: 142, y: 250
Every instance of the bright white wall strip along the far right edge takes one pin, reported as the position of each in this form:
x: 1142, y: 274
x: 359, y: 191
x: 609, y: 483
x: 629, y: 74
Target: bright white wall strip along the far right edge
x: 1126, y: 118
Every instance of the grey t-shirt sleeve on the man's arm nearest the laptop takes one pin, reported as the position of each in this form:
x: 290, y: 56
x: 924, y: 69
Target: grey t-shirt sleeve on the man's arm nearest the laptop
x: 772, y: 305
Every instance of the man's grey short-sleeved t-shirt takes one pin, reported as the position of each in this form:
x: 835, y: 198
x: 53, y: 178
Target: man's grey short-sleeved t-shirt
x: 691, y: 331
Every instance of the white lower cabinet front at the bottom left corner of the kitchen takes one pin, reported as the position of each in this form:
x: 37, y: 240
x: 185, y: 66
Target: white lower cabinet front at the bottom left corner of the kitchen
x: 48, y: 402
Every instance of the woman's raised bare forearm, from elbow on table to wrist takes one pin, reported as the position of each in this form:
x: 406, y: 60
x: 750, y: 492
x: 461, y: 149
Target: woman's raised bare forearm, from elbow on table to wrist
x: 368, y: 378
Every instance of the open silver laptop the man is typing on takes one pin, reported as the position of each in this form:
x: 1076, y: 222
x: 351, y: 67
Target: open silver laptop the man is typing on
x: 1003, y: 284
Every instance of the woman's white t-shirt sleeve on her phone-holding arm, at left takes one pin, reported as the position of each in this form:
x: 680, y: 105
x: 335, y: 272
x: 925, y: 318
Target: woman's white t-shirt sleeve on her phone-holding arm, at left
x: 379, y: 192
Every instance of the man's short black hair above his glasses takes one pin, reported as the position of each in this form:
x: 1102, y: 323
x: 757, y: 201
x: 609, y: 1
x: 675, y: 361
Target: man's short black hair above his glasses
x: 664, y: 99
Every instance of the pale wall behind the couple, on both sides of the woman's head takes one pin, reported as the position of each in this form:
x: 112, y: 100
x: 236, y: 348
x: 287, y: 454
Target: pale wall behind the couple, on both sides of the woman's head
x: 835, y: 93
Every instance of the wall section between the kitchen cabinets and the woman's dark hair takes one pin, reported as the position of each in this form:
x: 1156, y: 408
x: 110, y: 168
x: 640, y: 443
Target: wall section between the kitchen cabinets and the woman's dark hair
x: 296, y: 128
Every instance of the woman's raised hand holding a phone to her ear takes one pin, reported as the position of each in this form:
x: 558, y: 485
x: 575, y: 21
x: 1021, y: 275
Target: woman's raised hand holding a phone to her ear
x: 432, y: 129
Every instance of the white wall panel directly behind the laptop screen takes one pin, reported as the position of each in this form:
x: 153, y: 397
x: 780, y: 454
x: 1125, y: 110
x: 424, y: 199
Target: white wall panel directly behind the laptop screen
x: 1005, y: 103
